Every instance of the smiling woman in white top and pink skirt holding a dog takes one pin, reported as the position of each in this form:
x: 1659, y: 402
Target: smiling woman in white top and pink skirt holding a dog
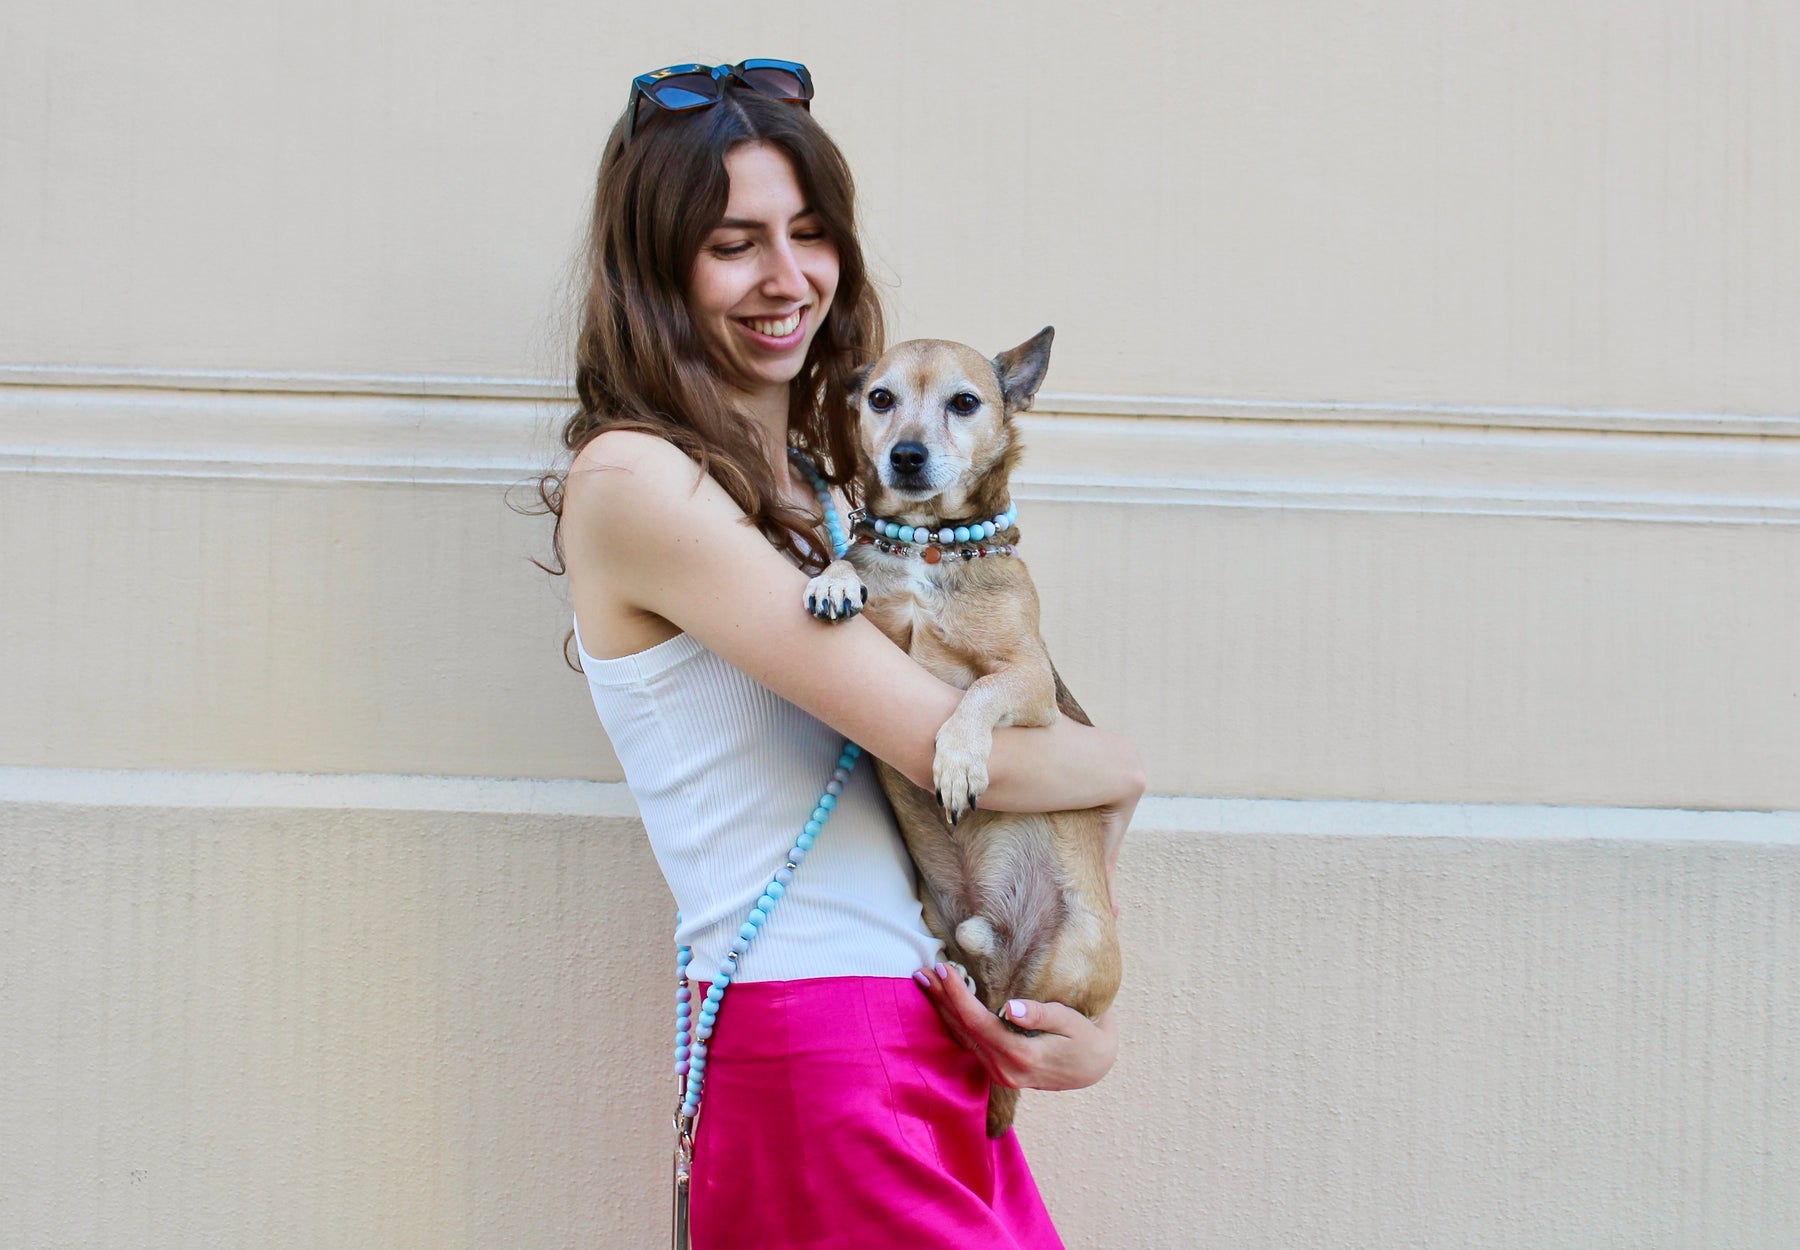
x: 726, y: 314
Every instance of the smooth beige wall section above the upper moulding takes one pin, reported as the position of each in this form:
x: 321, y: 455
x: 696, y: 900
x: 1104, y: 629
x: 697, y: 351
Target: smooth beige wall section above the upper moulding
x: 1536, y: 203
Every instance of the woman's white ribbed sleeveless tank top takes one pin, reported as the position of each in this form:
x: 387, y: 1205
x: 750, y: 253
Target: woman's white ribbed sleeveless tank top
x: 724, y: 774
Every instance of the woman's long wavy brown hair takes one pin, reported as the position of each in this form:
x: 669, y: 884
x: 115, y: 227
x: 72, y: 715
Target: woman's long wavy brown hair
x: 642, y: 365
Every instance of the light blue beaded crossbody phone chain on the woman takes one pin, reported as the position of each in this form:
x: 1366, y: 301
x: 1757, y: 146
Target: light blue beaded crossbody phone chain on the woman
x: 694, y: 1033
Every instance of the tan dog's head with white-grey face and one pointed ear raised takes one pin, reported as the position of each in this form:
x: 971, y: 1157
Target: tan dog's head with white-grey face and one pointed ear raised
x: 937, y: 424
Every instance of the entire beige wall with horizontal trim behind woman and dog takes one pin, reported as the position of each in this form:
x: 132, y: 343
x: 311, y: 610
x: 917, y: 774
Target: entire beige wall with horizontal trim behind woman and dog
x: 1419, y: 484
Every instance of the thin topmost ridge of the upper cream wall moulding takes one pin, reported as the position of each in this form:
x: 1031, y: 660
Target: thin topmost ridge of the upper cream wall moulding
x: 1052, y: 403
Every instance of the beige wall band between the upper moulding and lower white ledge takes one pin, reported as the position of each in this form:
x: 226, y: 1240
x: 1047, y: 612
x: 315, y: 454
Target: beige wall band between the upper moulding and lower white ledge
x: 1345, y: 648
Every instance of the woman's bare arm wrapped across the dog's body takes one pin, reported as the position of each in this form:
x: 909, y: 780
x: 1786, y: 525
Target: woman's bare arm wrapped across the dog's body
x: 663, y: 538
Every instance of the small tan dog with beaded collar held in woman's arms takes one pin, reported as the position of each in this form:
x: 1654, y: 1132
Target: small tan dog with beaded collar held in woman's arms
x: 1021, y: 901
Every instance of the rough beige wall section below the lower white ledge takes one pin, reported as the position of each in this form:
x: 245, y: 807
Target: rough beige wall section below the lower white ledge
x: 438, y: 1029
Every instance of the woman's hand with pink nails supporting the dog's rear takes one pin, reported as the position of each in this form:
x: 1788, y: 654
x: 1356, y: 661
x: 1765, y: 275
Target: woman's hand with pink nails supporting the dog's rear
x: 1070, y: 1051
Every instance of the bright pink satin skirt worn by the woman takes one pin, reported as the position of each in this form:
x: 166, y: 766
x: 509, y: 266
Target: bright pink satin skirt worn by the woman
x: 841, y: 1114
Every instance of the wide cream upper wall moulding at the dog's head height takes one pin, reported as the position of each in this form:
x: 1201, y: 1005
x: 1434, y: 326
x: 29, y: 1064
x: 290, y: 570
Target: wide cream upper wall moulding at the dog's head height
x: 1122, y: 460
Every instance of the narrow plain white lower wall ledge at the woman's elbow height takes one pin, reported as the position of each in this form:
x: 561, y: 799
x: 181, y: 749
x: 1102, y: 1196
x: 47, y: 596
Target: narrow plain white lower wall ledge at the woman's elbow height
x: 1156, y: 815
